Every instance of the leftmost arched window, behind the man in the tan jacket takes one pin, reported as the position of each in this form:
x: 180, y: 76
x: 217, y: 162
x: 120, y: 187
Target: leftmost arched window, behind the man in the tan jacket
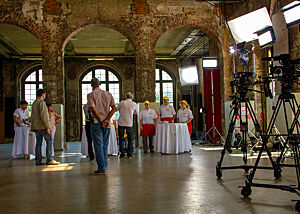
x: 31, y: 81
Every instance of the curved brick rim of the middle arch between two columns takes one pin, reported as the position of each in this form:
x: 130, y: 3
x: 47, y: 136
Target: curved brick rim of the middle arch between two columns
x: 71, y: 33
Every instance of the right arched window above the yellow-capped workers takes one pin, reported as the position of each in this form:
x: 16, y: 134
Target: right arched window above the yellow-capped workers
x: 165, y: 85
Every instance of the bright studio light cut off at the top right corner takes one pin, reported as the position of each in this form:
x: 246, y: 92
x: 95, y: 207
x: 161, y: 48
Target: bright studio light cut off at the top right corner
x: 291, y: 13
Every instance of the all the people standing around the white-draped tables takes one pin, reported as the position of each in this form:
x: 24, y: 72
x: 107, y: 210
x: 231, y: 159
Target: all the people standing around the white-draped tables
x: 99, y: 113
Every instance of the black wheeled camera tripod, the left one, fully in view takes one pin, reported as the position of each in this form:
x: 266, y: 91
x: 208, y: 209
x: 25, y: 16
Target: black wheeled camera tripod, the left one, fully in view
x: 237, y: 108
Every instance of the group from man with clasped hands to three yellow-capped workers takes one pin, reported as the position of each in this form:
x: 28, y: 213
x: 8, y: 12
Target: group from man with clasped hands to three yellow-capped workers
x: 102, y: 107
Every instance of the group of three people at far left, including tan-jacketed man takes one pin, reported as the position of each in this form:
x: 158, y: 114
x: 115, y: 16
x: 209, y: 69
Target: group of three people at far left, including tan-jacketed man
x: 42, y: 121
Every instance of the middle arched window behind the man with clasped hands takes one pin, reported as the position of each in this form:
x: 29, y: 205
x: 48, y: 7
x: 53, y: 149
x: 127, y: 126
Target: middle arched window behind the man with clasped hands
x: 110, y: 81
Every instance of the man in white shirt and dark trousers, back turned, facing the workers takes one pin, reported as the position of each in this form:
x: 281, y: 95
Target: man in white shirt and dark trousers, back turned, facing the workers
x: 126, y: 108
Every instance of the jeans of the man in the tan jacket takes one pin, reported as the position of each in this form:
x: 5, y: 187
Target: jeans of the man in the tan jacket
x: 40, y: 134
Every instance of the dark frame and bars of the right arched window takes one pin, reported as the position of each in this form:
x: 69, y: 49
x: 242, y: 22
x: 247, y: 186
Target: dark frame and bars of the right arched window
x: 161, y: 81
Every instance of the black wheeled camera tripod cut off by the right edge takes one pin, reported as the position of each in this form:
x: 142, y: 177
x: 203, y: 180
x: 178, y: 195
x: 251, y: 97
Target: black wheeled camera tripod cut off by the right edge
x: 292, y: 140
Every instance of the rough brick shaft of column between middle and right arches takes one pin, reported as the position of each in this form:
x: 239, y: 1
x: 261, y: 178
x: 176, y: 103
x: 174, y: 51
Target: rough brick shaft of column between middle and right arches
x: 145, y: 71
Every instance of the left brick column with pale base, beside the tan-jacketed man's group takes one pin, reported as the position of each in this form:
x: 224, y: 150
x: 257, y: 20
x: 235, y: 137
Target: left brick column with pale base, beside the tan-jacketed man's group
x: 53, y: 82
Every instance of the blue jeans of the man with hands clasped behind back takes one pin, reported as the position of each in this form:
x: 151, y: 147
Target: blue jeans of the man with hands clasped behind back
x: 100, y: 138
